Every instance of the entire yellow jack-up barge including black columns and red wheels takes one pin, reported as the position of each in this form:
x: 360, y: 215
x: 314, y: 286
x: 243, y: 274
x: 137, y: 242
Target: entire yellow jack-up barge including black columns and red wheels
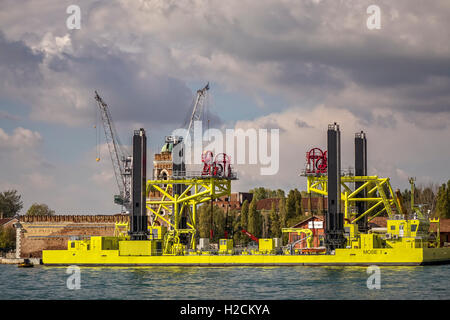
x: 169, y: 238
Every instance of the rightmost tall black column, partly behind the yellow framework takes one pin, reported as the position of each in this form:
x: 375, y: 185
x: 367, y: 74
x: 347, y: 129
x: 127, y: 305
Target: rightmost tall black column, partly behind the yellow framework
x: 361, y: 170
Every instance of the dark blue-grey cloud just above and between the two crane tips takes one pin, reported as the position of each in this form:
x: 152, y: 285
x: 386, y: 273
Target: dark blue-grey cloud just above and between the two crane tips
x: 132, y: 93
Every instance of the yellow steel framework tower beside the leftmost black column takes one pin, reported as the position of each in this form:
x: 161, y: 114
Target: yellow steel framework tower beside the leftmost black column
x: 196, y: 191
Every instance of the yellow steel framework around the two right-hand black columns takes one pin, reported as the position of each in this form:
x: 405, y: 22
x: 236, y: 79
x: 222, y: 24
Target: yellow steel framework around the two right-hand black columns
x: 379, y: 194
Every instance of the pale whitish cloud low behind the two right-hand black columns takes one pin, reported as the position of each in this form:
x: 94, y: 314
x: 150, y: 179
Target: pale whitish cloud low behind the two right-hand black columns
x: 396, y: 152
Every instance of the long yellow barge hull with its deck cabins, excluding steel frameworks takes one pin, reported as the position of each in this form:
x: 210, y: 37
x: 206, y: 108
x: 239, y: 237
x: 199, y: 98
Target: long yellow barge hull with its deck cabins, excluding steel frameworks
x: 403, y: 245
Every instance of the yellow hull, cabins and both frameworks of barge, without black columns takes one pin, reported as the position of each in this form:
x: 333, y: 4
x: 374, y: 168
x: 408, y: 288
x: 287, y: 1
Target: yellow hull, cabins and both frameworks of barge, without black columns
x: 402, y: 242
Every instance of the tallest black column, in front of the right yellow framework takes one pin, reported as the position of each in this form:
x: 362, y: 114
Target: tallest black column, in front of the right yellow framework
x: 334, y: 230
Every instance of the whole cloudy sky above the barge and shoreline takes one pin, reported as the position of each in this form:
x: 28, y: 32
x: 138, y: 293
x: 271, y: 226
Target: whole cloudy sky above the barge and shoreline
x: 290, y: 64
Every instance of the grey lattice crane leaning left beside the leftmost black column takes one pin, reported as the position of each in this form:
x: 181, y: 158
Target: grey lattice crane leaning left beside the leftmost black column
x: 121, y: 160
